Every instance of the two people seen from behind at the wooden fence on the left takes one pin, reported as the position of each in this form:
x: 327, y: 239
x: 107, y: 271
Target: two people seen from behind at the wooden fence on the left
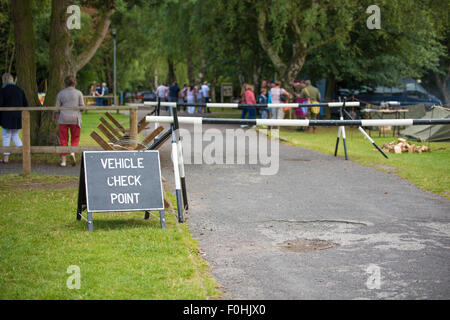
x: 12, y: 95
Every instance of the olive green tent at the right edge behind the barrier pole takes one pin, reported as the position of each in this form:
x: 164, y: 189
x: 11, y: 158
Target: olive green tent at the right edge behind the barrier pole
x: 429, y: 133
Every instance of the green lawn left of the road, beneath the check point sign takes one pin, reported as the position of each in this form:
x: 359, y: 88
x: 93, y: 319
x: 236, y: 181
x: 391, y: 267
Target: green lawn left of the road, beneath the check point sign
x: 125, y: 258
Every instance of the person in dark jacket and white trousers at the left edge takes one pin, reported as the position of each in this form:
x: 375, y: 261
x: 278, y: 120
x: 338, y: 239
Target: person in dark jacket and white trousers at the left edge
x: 11, y: 121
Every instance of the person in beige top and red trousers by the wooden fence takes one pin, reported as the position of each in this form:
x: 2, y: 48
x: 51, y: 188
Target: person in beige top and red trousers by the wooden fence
x: 69, y: 120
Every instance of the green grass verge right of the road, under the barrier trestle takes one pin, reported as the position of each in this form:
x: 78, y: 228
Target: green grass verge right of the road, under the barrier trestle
x: 429, y: 171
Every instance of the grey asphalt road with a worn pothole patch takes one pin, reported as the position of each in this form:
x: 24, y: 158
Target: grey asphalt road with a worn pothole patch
x: 321, y: 228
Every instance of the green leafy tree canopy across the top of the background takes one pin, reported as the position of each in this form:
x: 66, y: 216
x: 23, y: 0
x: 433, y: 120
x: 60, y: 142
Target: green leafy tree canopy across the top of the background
x: 232, y: 40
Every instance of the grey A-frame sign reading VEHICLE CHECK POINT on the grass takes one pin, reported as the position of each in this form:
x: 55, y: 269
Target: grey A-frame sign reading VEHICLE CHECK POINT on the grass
x: 120, y: 181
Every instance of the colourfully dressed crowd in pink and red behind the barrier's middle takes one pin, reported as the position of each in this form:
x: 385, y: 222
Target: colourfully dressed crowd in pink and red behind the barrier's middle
x: 272, y: 93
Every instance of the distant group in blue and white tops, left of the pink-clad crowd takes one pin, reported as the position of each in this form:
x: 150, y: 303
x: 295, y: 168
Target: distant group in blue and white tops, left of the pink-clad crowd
x: 190, y: 94
